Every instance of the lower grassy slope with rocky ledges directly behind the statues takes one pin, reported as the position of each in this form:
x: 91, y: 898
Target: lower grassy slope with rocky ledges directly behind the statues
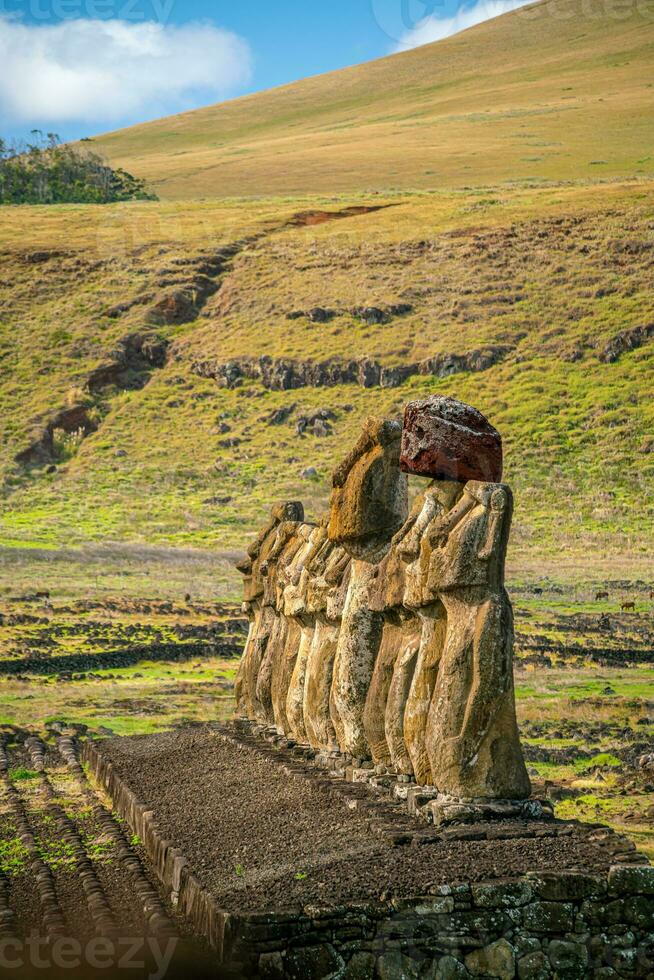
x: 553, y: 284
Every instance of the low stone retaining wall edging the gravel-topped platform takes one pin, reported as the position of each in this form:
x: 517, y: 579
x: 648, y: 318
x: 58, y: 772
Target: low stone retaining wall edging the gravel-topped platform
x: 563, y: 925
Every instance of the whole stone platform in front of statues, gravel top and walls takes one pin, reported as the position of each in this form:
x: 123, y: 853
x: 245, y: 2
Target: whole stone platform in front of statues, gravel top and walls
x: 292, y: 870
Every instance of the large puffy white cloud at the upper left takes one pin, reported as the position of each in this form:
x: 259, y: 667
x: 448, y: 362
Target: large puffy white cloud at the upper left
x: 104, y: 71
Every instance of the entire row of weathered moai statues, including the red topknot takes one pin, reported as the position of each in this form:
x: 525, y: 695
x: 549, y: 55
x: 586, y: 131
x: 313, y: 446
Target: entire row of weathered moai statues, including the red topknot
x: 384, y: 632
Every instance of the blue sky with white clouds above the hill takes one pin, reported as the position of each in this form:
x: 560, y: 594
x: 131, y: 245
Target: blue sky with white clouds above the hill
x: 85, y: 66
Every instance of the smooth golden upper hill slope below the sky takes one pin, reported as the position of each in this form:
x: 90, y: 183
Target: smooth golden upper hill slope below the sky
x: 559, y: 90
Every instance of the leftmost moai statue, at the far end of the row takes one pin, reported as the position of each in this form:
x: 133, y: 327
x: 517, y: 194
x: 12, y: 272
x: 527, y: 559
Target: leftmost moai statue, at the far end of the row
x: 260, y: 614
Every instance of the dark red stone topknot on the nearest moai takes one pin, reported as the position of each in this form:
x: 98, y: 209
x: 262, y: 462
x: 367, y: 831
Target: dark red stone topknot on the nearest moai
x: 449, y: 440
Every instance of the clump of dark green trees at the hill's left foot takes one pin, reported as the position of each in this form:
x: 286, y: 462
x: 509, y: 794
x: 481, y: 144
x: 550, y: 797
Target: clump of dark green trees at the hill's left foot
x: 45, y: 171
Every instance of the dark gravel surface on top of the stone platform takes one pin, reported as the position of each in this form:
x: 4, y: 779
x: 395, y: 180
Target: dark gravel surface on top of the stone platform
x: 260, y: 838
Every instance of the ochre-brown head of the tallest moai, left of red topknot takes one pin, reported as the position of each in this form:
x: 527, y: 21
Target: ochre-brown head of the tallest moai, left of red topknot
x: 369, y: 501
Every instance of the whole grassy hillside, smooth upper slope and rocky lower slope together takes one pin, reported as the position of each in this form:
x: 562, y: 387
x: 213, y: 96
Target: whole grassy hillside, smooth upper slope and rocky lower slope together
x: 513, y: 270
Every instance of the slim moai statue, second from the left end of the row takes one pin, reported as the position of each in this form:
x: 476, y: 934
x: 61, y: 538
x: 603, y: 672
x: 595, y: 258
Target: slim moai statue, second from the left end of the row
x: 287, y: 543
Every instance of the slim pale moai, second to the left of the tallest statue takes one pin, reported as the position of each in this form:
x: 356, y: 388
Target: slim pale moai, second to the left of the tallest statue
x: 297, y: 607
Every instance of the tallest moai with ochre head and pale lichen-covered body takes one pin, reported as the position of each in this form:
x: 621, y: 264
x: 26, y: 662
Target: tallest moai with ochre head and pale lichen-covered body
x: 369, y: 503
